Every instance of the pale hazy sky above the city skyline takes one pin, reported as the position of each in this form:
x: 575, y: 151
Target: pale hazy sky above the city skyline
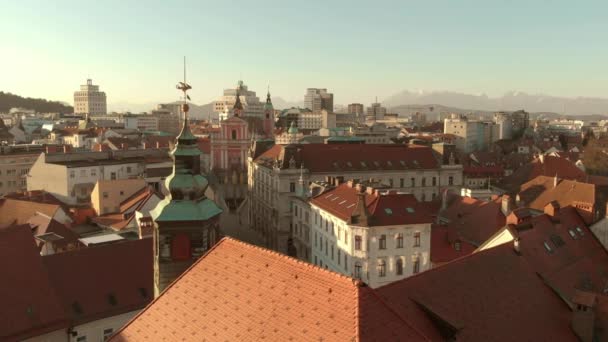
x: 357, y: 49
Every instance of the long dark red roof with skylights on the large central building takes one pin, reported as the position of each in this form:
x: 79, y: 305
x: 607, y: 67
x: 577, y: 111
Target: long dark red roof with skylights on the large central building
x: 352, y: 157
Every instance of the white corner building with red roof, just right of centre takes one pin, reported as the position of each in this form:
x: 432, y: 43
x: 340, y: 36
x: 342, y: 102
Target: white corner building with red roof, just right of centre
x: 386, y: 246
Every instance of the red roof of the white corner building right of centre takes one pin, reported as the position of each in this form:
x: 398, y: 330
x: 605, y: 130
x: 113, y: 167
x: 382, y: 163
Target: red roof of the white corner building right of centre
x: 385, y: 209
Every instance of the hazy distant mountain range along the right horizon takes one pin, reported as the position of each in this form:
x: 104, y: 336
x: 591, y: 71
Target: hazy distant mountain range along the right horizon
x: 508, y: 102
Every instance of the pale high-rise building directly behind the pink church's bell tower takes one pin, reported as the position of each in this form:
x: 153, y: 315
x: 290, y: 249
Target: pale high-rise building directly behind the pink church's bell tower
x: 251, y: 103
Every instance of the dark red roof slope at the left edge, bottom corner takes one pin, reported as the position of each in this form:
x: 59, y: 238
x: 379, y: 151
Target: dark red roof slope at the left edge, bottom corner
x: 30, y: 305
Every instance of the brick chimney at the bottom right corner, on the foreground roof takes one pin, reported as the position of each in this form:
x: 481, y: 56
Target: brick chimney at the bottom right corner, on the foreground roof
x: 583, y: 315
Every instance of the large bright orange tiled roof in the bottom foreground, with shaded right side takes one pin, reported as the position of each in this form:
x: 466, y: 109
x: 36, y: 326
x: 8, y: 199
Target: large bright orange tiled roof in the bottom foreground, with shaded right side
x: 239, y: 292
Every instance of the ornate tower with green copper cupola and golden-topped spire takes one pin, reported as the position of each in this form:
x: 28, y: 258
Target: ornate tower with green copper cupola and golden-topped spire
x: 186, y: 222
